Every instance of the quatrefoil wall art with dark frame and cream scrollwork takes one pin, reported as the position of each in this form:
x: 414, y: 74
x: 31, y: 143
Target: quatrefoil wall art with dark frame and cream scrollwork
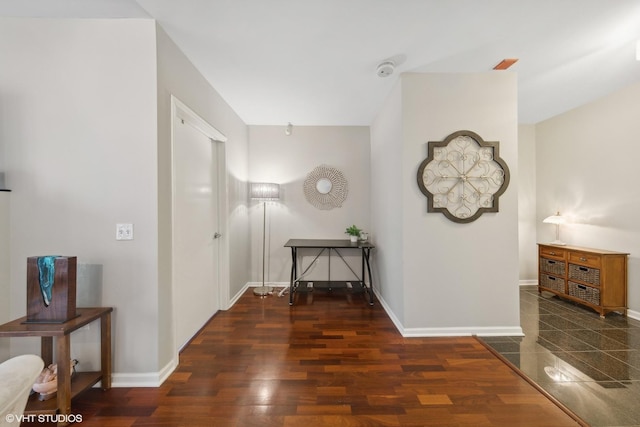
x: 463, y: 176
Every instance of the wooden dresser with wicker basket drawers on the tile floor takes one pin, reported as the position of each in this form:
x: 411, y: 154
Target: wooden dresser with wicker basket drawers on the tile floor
x: 592, y: 277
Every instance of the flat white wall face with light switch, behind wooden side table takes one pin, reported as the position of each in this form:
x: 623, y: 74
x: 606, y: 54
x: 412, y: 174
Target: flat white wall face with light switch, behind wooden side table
x: 78, y: 114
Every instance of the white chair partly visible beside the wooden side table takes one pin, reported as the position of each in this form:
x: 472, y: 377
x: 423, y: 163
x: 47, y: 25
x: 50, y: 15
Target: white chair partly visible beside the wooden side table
x: 16, y: 380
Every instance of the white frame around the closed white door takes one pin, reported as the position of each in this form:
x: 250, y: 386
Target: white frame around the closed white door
x: 180, y: 111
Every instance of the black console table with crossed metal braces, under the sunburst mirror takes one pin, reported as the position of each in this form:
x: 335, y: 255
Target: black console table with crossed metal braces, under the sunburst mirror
x: 330, y: 246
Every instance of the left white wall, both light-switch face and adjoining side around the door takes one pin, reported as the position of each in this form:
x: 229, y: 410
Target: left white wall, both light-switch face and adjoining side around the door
x: 88, y: 145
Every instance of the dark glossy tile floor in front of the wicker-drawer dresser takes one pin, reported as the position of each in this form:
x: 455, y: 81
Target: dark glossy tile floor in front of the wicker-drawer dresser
x: 590, y: 364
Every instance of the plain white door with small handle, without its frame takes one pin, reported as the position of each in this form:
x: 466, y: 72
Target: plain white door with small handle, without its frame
x: 196, y: 292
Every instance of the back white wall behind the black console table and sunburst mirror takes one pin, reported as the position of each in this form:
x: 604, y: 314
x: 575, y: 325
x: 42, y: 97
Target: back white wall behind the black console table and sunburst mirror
x: 286, y: 160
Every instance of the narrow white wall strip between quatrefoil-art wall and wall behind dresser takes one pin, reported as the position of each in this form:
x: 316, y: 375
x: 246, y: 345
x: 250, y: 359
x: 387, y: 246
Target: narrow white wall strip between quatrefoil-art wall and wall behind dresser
x: 527, y: 221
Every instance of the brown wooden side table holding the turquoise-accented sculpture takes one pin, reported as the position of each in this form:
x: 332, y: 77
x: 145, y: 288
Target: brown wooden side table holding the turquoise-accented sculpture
x: 62, y: 332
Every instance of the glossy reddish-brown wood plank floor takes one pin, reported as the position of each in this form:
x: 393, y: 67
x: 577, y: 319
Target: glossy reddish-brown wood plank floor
x: 330, y: 360
